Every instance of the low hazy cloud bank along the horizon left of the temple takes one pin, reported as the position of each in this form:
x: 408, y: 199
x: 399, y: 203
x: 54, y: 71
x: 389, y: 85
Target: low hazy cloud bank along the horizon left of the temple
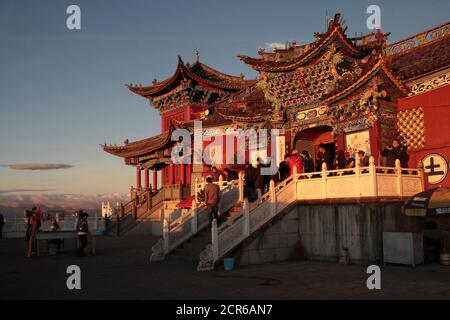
x: 60, y: 201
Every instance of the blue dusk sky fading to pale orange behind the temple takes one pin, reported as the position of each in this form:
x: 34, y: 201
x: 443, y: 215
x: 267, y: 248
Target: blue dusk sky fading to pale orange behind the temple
x: 63, y: 91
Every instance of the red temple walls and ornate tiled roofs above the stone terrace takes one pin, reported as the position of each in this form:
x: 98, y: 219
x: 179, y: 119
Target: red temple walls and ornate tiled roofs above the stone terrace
x: 349, y: 93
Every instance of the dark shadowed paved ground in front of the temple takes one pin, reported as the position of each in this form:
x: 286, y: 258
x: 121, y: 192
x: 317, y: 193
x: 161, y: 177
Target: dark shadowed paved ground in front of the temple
x: 121, y: 270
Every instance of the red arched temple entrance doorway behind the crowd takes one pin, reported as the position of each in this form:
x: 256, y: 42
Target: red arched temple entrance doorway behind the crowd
x: 310, y: 139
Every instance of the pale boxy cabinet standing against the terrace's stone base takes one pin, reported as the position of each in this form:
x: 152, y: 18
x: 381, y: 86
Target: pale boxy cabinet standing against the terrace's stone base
x: 403, y: 247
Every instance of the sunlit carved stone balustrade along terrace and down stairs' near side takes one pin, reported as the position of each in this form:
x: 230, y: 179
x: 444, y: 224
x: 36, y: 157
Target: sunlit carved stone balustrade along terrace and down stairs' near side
x: 360, y: 182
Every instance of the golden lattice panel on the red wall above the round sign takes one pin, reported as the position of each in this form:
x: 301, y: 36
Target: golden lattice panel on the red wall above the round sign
x: 411, y: 127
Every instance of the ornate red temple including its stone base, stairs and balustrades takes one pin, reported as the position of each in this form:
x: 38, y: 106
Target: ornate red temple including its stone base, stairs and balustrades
x: 347, y: 93
